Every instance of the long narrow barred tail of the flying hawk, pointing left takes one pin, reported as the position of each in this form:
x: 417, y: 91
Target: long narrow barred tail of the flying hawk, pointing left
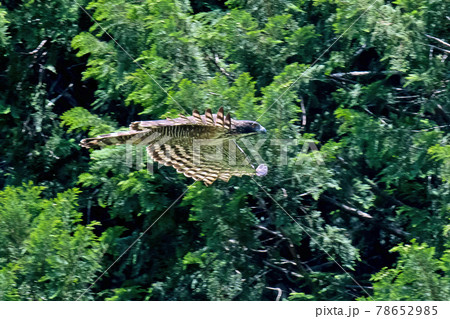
x: 130, y: 137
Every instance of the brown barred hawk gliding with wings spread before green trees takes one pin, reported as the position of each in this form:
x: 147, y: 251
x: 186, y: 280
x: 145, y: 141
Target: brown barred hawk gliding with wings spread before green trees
x: 202, y: 147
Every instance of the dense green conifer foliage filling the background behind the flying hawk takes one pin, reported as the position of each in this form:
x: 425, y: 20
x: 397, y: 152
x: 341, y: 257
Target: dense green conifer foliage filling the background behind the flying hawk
x: 364, y: 215
